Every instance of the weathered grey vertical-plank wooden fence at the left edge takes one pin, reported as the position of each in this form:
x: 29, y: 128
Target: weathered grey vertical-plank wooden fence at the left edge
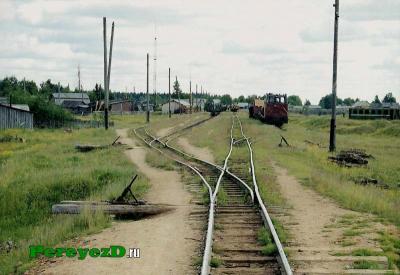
x: 11, y: 117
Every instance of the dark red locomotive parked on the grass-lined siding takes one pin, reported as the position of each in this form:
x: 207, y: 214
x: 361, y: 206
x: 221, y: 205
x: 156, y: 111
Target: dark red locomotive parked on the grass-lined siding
x: 273, y: 110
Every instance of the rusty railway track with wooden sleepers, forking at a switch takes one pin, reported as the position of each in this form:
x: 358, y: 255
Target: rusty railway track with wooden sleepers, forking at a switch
x: 235, y: 222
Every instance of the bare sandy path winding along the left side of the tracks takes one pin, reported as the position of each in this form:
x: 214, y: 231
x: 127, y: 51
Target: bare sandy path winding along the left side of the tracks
x: 166, y: 242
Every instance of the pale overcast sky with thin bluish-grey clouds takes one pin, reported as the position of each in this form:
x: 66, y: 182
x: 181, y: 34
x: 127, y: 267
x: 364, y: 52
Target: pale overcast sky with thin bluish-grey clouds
x: 226, y: 46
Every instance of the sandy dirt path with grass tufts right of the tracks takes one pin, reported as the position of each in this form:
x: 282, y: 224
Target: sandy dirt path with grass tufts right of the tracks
x: 319, y: 228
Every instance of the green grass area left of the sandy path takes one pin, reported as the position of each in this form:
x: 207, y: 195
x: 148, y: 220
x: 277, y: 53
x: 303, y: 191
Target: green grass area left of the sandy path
x: 47, y: 169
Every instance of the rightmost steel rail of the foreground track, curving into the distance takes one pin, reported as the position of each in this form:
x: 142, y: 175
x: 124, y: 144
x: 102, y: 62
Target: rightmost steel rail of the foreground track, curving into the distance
x: 264, y: 212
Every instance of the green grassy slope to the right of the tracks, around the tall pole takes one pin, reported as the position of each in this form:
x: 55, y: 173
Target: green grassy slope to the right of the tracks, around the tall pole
x: 310, y: 164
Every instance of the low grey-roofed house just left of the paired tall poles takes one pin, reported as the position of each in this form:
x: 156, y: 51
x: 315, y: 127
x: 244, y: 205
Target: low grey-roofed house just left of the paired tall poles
x: 77, y: 103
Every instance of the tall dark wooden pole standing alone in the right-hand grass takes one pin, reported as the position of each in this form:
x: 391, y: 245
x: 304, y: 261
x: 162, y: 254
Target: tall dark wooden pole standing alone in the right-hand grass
x: 332, y: 136
